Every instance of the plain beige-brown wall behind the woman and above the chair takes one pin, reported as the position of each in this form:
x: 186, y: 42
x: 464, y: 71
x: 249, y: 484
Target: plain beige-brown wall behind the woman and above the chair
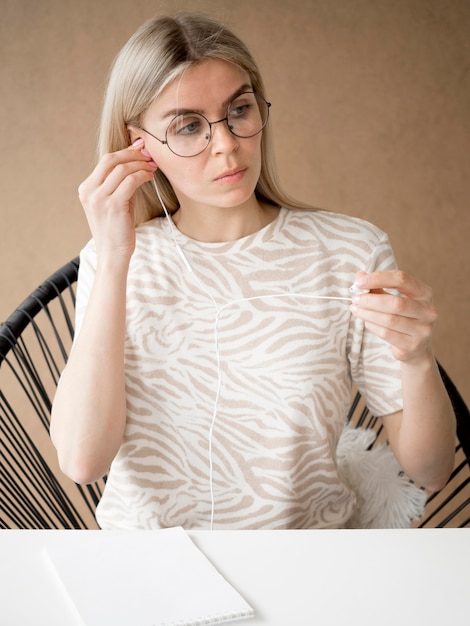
x: 370, y: 108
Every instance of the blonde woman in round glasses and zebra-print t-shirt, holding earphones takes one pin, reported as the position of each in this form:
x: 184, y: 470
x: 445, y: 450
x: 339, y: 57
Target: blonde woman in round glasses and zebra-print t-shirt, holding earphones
x: 211, y: 370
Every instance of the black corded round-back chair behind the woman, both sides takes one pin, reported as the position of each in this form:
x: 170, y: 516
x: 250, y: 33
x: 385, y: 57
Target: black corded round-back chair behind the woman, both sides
x: 34, y: 344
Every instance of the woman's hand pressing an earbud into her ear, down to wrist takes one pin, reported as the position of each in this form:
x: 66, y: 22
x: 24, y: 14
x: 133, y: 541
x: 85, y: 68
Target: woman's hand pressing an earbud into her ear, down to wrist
x: 107, y: 196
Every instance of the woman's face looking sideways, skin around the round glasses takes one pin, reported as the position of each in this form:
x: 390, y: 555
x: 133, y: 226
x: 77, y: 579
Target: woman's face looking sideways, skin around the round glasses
x: 225, y: 174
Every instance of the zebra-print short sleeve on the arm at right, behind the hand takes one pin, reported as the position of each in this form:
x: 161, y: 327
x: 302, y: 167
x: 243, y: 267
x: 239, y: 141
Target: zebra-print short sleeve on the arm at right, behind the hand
x: 374, y: 370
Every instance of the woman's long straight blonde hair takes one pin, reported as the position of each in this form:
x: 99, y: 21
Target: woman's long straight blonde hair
x: 158, y: 52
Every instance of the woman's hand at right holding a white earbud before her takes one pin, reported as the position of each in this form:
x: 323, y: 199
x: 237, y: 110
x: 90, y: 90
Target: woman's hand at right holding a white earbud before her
x: 404, y: 319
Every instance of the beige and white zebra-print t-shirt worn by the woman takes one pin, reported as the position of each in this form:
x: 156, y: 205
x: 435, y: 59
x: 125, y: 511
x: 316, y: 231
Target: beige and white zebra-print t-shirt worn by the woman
x: 238, y: 380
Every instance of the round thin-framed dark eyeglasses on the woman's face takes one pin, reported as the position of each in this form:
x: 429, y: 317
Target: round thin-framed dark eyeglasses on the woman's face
x: 189, y: 134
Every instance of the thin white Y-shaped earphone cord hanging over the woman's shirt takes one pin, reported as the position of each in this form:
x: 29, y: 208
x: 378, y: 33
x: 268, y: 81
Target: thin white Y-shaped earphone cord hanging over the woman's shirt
x: 354, y: 290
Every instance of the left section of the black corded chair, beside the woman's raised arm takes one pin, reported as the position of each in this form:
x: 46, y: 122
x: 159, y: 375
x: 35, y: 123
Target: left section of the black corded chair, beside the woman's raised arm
x: 34, y: 344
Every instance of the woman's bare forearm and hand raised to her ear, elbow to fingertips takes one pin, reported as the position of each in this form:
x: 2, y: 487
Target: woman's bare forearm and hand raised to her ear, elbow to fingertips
x: 89, y: 411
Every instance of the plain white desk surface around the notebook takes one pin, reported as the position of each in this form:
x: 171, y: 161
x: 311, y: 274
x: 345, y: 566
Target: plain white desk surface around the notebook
x: 291, y: 578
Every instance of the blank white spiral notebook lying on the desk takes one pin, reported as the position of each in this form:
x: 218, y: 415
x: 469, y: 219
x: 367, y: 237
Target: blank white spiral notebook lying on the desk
x: 148, y: 578
